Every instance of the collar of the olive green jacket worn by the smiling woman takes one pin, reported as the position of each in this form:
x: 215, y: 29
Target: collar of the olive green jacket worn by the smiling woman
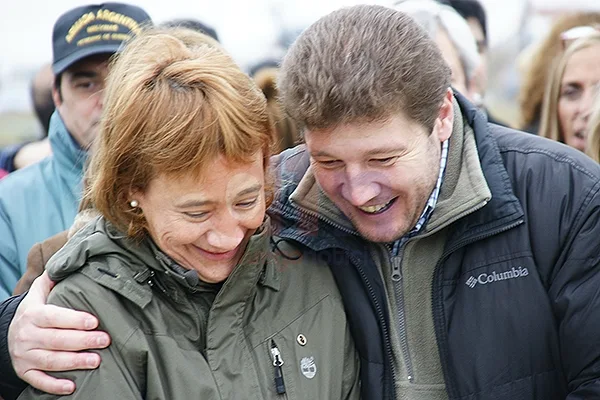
x: 113, y: 260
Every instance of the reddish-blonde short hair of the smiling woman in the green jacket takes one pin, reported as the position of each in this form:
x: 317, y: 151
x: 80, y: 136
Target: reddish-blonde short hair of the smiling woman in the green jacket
x: 174, y: 102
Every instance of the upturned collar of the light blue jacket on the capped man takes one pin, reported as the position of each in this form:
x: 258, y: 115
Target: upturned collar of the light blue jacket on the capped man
x: 65, y: 151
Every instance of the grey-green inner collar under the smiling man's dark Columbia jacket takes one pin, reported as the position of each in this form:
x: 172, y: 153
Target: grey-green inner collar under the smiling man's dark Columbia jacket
x: 463, y: 189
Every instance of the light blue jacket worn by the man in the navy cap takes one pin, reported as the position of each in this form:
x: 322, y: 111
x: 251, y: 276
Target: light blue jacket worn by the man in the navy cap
x: 38, y: 202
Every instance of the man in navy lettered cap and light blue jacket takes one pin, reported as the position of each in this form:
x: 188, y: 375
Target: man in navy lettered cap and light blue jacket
x: 41, y: 200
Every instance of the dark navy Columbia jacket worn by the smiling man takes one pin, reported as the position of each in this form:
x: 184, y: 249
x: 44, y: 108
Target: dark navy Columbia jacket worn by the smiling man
x: 535, y: 337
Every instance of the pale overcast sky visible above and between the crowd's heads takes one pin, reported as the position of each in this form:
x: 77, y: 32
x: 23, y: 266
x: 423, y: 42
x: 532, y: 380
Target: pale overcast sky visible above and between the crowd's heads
x: 247, y: 28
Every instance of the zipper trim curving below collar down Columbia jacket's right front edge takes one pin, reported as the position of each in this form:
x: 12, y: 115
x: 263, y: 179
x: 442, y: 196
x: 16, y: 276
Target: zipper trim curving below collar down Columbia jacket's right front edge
x: 438, y: 304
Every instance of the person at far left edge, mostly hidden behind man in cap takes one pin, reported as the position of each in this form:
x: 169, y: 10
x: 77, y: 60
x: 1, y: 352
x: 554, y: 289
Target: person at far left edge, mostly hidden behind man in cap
x: 23, y: 154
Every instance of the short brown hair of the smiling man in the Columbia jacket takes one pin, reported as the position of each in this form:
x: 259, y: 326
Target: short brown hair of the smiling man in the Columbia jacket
x: 362, y: 64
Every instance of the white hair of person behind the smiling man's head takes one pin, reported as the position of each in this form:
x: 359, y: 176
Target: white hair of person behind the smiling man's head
x: 432, y: 16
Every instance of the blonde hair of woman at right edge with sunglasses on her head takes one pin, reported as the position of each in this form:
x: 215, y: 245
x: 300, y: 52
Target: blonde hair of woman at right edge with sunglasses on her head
x: 549, y: 122
